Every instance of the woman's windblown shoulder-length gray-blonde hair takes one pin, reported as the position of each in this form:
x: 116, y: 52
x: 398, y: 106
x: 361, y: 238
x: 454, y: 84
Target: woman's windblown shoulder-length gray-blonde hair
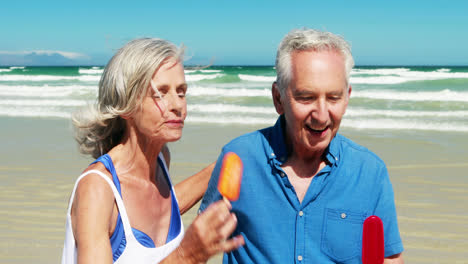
x: 123, y: 85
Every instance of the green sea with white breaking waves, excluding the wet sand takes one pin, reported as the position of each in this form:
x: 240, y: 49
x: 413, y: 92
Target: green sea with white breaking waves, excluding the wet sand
x: 383, y: 98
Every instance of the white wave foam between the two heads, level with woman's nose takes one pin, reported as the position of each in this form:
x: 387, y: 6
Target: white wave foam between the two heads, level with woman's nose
x: 227, y: 108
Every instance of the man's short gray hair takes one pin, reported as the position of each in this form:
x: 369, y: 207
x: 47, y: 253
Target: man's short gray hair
x: 308, y: 39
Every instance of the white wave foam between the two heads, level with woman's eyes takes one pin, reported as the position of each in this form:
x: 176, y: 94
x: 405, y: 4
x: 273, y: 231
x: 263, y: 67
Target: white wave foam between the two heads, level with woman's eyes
x: 242, y: 92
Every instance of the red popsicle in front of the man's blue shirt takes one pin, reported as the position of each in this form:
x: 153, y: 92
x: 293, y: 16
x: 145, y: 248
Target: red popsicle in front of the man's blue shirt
x: 373, y: 241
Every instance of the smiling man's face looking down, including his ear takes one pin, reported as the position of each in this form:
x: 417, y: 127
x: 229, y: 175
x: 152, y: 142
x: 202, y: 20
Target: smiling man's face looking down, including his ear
x: 315, y: 100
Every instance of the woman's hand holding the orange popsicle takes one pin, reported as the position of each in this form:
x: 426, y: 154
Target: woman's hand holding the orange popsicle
x: 208, y: 235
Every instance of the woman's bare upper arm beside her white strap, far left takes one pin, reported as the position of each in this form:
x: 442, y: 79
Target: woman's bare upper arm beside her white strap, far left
x: 91, y: 213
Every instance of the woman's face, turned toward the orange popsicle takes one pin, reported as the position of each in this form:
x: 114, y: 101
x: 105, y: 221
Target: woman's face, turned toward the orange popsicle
x: 164, y: 108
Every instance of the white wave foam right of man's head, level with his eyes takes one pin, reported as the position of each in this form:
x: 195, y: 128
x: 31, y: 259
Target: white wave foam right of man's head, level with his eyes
x: 442, y: 96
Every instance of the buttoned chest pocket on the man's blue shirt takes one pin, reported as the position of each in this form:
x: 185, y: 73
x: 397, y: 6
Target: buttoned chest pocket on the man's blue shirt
x: 342, y: 234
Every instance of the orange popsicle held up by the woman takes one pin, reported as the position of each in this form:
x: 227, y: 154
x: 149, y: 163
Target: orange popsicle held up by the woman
x: 230, y: 176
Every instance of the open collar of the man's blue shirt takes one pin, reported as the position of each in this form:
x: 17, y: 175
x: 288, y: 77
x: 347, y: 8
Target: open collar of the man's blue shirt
x: 279, y: 149
